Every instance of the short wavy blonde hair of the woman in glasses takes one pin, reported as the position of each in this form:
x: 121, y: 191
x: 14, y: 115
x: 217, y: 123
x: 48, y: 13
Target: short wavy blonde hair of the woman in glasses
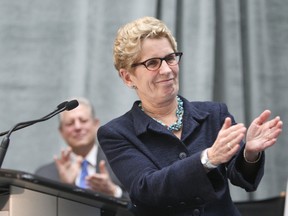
x: 129, y: 39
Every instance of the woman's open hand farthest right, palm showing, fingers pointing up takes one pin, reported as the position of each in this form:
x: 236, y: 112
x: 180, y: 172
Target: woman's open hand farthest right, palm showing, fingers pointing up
x: 262, y: 134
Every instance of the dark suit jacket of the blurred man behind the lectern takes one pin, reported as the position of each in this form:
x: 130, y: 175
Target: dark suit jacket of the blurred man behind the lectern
x: 50, y: 171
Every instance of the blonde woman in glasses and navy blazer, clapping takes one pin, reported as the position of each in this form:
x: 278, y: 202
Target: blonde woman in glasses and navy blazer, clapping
x: 174, y: 156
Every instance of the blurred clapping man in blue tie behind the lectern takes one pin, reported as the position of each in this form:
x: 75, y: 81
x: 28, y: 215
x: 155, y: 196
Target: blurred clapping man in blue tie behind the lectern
x: 83, y: 162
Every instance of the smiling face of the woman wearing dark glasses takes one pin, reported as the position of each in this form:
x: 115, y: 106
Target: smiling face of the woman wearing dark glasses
x: 160, y: 84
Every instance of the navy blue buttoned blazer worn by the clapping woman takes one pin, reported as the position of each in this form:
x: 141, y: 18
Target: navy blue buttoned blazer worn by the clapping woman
x: 163, y: 174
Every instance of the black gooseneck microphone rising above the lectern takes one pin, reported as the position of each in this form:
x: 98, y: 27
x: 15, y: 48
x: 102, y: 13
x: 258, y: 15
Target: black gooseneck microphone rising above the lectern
x: 60, y: 108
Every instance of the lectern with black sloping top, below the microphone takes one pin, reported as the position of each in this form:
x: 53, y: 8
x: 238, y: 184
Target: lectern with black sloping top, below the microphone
x: 25, y: 194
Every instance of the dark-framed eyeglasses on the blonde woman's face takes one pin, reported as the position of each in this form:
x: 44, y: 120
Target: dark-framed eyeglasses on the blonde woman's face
x: 153, y: 64
